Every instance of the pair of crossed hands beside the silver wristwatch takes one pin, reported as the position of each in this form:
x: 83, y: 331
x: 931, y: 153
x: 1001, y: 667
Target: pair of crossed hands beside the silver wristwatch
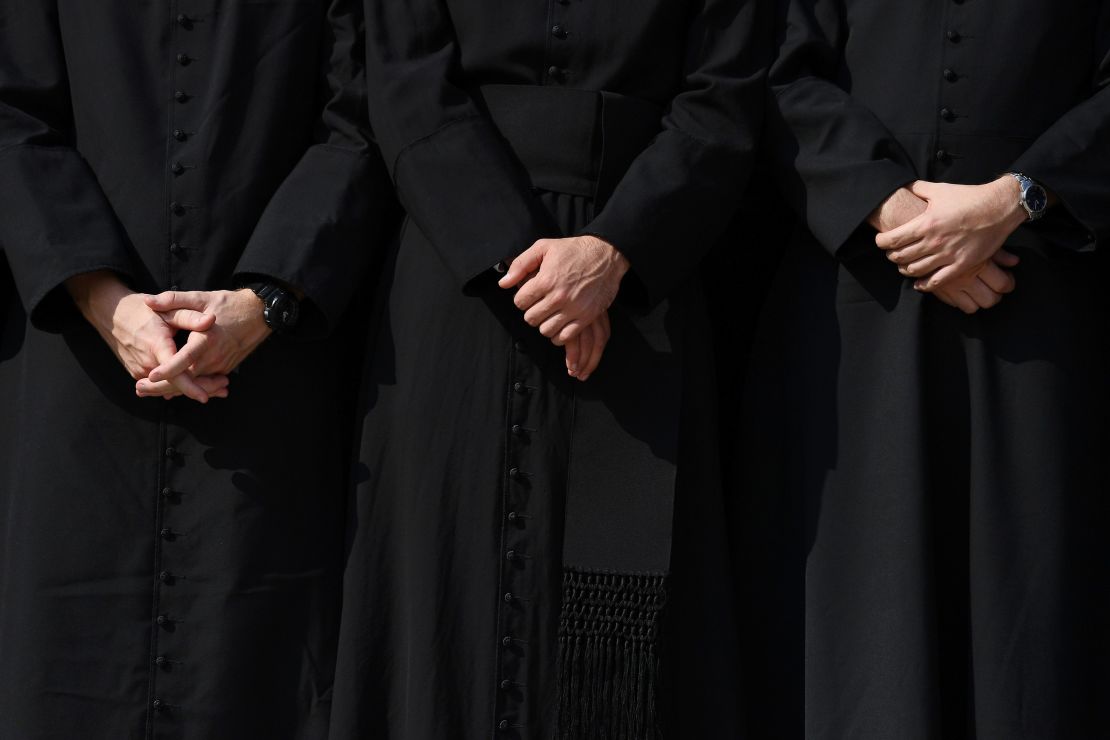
x: 950, y: 238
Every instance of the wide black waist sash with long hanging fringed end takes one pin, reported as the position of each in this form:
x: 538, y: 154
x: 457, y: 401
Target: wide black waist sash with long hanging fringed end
x: 623, y: 452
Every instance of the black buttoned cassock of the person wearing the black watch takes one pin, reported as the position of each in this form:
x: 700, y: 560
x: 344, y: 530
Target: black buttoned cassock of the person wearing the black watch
x: 171, y: 571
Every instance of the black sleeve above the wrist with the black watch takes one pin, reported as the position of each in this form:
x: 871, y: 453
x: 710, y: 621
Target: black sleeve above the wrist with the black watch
x: 326, y: 225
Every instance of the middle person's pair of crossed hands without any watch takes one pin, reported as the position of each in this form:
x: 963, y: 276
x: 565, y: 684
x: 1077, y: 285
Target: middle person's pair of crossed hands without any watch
x: 566, y: 290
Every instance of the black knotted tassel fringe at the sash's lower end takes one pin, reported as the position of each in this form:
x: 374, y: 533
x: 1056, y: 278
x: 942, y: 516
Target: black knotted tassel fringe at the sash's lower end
x: 609, y: 656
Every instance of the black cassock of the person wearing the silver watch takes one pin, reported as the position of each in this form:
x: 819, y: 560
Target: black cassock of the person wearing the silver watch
x: 933, y: 485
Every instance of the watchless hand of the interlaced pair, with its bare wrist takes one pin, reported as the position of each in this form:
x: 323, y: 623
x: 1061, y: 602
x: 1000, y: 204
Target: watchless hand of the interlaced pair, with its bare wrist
x: 138, y: 336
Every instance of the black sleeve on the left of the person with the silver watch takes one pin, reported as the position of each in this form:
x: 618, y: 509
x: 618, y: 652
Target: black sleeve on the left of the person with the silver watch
x: 835, y: 161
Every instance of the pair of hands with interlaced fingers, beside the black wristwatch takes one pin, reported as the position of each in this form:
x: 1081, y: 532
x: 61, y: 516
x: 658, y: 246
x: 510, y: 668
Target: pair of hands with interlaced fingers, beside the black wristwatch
x: 225, y: 328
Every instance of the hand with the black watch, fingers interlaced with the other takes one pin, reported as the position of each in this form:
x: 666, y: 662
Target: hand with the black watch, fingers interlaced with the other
x: 239, y: 330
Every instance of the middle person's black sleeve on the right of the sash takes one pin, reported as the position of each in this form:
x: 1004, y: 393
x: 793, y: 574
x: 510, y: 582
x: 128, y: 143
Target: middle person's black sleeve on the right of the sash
x: 681, y: 192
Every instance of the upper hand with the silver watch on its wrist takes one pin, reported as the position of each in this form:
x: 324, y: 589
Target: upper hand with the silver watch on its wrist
x: 963, y: 228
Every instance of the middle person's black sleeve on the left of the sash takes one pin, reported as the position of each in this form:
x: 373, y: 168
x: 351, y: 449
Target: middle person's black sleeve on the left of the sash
x: 457, y: 178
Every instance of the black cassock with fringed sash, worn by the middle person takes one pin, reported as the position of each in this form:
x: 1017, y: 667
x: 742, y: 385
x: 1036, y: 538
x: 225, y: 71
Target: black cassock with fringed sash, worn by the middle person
x: 488, y: 475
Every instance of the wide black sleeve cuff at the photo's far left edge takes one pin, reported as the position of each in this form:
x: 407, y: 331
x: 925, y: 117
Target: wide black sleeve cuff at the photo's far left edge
x: 56, y: 224
